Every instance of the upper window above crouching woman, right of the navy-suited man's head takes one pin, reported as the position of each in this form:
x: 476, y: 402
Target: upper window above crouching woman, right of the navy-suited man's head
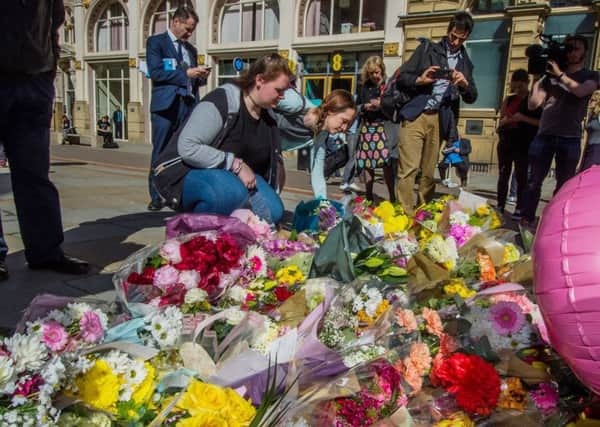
x: 249, y: 20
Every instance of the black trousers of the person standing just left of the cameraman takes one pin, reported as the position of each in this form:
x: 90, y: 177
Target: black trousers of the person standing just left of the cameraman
x: 511, y: 153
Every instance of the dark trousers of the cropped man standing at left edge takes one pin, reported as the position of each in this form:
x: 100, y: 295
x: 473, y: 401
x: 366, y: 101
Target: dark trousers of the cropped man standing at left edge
x: 25, y: 113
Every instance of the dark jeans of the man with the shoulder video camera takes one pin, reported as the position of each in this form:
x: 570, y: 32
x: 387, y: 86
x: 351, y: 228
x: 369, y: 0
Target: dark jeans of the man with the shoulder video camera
x: 543, y: 149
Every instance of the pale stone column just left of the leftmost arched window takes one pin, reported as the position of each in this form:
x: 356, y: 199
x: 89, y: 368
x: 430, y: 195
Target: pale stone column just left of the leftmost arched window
x: 81, y: 118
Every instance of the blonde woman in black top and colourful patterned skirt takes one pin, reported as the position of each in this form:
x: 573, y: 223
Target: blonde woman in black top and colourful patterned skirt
x: 374, y: 140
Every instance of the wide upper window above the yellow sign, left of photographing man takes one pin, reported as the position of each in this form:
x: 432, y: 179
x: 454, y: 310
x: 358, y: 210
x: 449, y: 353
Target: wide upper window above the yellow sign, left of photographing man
x: 327, y: 17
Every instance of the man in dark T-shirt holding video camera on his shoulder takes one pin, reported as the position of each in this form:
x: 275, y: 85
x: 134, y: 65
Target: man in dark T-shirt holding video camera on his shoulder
x: 563, y: 93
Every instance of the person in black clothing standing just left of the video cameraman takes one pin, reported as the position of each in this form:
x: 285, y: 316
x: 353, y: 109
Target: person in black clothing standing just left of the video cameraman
x: 517, y: 128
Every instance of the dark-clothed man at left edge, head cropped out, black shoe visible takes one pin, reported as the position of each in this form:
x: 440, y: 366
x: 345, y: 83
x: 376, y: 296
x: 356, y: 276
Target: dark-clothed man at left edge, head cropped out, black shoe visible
x: 29, y: 52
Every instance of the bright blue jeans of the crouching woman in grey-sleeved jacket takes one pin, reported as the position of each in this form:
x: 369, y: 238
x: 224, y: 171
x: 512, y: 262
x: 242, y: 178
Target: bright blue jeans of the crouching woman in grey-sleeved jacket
x: 221, y: 192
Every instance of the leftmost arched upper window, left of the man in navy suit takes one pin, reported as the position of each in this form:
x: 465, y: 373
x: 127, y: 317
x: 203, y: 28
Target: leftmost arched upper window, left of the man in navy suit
x: 111, y: 29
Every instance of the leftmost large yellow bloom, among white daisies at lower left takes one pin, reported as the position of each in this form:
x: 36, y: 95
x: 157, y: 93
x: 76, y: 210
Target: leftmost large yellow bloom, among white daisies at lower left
x: 99, y: 387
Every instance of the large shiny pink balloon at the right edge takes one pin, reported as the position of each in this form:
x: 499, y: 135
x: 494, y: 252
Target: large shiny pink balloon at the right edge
x: 566, y: 257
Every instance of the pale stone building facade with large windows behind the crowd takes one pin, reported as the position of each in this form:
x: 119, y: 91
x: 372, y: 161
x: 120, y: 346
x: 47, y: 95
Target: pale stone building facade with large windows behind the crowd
x: 326, y: 41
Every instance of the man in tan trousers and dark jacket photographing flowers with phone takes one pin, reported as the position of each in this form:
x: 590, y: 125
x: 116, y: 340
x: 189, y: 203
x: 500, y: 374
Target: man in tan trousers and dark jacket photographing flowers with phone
x: 435, y: 78
